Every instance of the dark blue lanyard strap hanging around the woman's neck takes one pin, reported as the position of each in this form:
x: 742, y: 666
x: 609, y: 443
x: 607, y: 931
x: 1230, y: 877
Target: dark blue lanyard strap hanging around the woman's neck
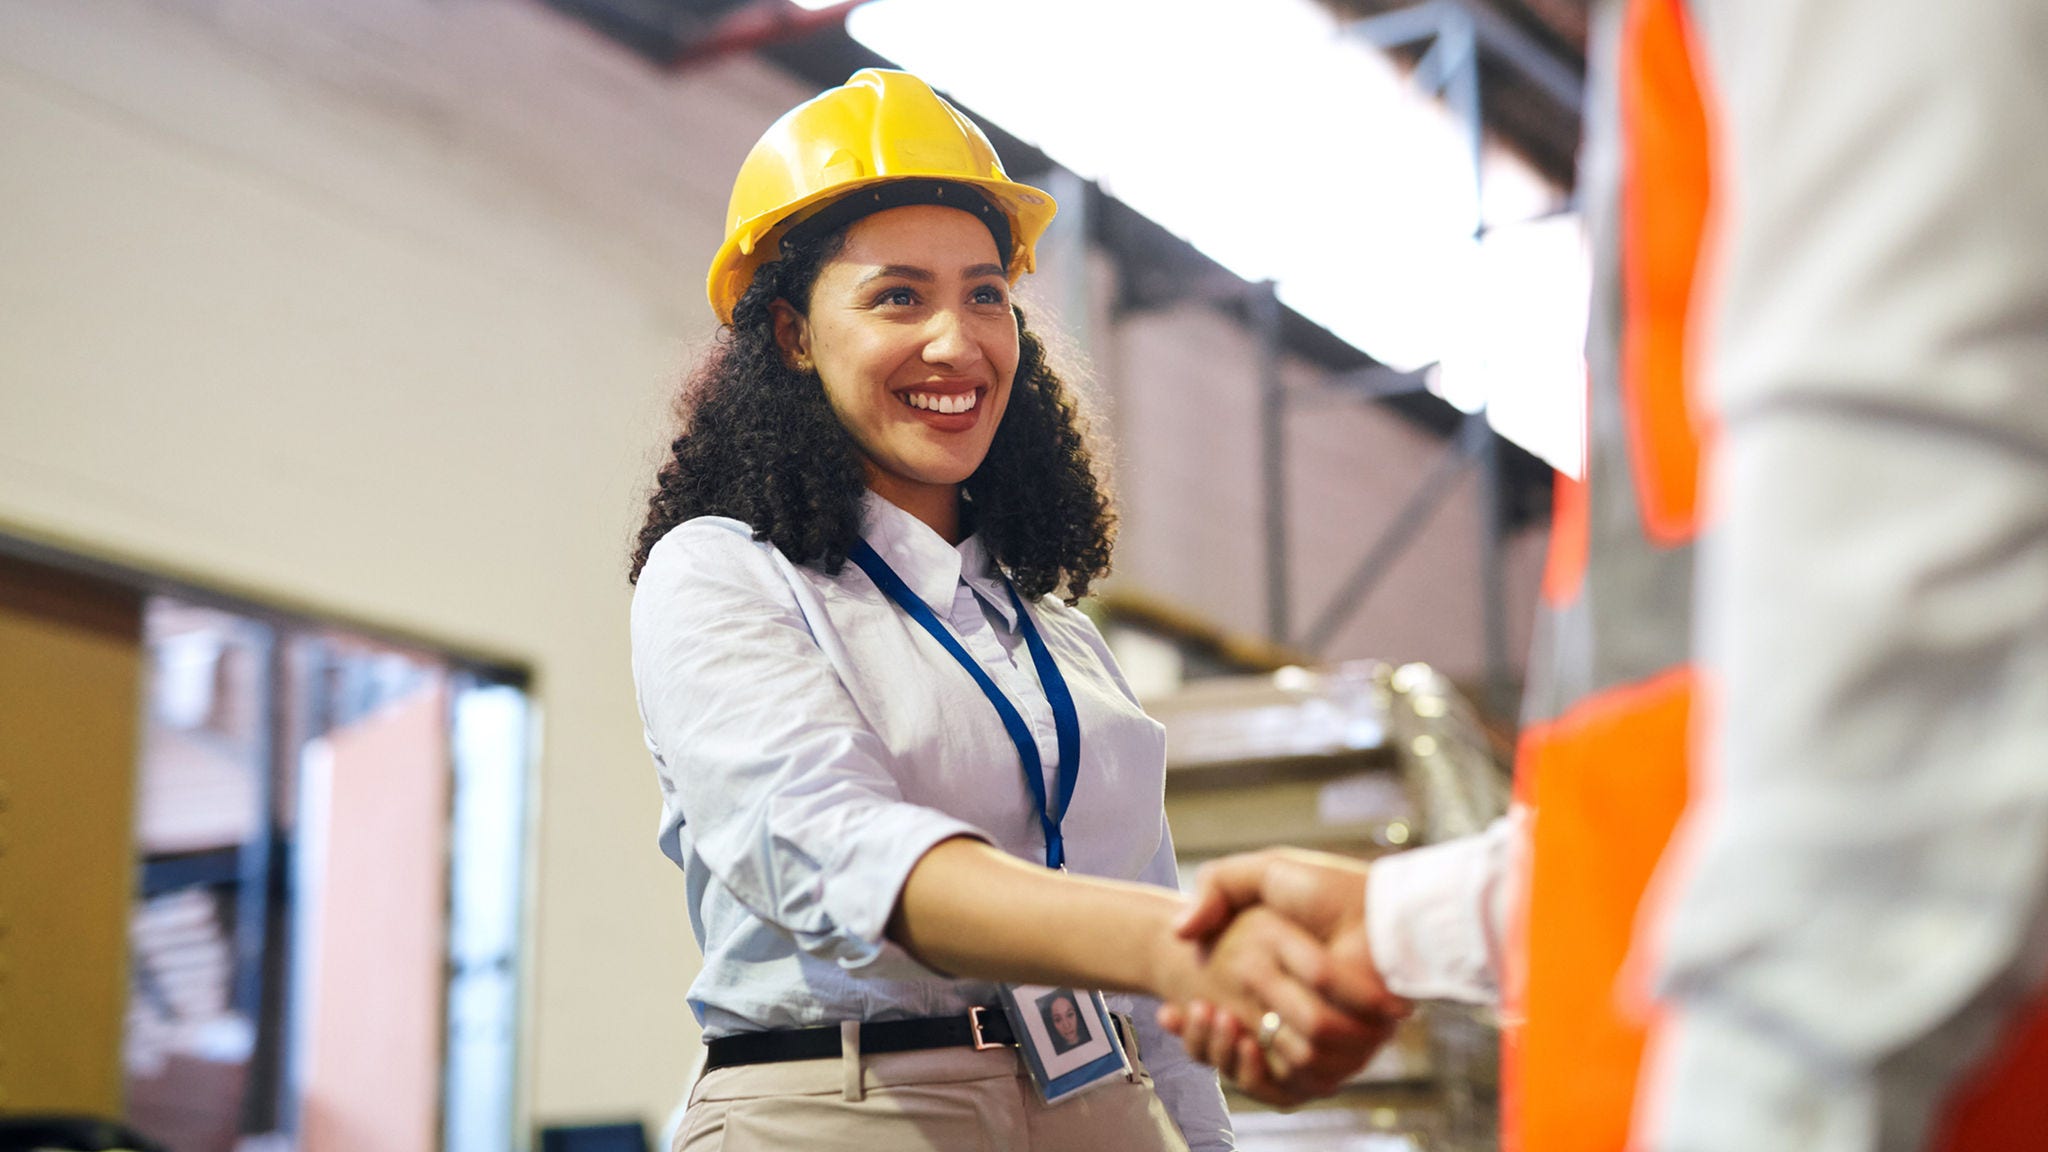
x: 1066, y: 725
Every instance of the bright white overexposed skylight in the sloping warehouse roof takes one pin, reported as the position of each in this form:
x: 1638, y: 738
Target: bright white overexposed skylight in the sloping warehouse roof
x: 1287, y: 151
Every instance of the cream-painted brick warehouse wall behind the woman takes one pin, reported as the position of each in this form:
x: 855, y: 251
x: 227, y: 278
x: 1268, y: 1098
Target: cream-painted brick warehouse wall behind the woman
x: 376, y: 308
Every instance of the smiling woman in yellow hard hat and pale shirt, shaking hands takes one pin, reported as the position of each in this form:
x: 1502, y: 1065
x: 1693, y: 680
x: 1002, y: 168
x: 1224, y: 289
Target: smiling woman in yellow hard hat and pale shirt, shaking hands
x: 849, y: 571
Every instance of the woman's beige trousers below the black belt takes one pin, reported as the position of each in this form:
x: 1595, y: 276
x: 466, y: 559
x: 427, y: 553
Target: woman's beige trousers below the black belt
x: 951, y: 1100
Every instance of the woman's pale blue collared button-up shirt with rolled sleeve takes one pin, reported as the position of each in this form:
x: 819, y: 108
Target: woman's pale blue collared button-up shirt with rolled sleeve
x: 814, y: 743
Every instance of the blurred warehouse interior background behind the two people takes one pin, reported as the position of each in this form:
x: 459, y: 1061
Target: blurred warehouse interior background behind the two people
x: 341, y: 343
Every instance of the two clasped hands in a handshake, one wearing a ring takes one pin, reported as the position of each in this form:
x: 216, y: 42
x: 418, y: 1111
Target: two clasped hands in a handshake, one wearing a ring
x: 1273, y: 979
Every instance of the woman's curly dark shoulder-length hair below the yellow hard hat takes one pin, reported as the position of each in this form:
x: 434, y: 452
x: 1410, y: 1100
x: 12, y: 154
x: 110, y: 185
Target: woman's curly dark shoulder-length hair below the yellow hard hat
x: 763, y: 446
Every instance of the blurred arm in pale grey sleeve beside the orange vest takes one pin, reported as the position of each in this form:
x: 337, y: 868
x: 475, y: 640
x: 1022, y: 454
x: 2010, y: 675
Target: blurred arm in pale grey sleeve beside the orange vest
x: 1861, y: 895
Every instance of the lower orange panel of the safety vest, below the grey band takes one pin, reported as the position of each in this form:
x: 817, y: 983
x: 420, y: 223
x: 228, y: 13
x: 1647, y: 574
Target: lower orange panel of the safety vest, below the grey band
x: 1609, y: 784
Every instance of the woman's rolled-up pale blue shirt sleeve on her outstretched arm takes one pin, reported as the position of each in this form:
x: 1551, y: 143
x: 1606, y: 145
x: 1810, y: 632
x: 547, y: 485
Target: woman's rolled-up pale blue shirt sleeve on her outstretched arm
x: 765, y: 757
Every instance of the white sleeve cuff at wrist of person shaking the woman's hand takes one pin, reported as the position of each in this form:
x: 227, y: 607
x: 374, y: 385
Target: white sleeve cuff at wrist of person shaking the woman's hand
x: 1437, y: 917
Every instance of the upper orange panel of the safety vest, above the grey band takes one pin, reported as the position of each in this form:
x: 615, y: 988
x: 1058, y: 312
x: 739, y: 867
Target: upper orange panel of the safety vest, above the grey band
x: 1666, y: 181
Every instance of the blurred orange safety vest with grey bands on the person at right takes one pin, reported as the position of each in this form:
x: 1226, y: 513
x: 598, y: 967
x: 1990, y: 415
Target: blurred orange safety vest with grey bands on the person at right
x: 1605, y: 743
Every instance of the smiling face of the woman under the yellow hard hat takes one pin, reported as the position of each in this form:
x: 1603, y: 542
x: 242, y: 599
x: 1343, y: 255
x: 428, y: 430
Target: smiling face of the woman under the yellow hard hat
x: 912, y: 335
